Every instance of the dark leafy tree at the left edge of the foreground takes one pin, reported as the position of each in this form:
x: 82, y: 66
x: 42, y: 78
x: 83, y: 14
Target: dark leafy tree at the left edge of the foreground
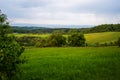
x: 10, y: 51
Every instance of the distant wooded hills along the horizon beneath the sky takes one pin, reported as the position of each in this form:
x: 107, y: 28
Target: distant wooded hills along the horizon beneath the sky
x: 99, y: 28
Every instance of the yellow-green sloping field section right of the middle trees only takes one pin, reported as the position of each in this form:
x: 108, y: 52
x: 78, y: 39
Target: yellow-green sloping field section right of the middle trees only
x: 102, y: 37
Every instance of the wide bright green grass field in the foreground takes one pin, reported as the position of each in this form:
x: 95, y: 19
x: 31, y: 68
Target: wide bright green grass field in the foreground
x: 102, y: 63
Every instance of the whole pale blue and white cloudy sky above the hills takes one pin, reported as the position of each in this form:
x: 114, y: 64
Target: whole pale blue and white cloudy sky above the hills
x: 78, y: 12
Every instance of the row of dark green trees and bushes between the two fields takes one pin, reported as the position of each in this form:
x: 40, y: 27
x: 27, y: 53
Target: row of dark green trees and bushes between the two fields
x: 54, y: 40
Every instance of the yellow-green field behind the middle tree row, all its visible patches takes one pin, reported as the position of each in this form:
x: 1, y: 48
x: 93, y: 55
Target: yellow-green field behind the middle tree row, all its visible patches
x: 91, y: 38
